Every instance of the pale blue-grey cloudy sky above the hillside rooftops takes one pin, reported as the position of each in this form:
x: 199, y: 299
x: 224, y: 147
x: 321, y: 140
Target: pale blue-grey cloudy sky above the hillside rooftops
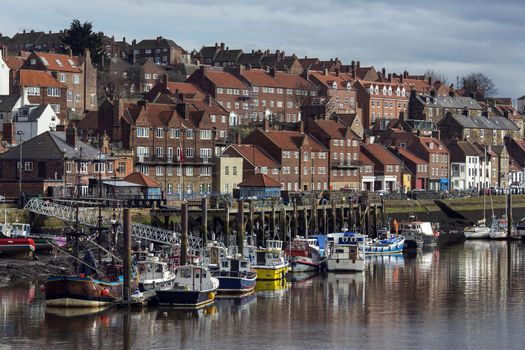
x: 448, y: 36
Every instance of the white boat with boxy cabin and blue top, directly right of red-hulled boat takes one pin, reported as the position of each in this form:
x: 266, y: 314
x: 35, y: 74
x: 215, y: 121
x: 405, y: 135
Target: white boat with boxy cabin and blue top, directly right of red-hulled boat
x: 346, y: 251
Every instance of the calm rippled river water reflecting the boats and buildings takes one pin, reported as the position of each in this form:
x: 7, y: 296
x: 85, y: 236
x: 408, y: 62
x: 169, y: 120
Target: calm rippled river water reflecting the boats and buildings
x: 469, y: 296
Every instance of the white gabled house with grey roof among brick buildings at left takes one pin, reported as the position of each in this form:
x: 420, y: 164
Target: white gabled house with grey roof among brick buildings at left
x: 33, y: 120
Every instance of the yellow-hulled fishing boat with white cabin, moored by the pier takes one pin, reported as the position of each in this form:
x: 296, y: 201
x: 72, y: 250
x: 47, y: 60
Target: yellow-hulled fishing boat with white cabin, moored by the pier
x: 269, y: 262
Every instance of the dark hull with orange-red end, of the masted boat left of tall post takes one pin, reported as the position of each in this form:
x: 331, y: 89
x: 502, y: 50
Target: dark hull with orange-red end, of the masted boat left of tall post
x: 81, y: 291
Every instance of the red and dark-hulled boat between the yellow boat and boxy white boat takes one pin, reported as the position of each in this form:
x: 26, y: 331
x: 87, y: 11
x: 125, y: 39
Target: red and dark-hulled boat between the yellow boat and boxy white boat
x: 303, y: 255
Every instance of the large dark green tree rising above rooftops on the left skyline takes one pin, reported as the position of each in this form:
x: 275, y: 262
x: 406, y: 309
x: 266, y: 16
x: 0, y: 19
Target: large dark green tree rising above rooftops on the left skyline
x: 80, y: 37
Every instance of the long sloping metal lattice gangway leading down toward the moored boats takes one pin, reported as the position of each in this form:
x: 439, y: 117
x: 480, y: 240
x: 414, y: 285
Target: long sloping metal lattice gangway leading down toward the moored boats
x: 90, y: 217
